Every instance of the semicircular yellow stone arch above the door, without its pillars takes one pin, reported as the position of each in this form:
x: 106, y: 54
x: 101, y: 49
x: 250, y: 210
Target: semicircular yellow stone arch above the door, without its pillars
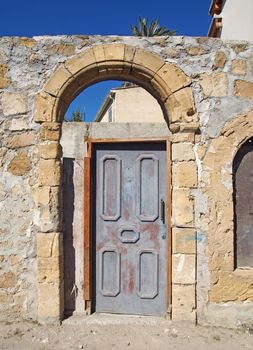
x: 167, y: 83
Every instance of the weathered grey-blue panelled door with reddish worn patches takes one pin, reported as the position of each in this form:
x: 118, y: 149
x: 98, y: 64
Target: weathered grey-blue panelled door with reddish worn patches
x: 130, y: 228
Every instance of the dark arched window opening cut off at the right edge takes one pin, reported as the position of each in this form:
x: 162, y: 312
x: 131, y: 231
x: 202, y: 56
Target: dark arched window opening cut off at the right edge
x: 243, y: 204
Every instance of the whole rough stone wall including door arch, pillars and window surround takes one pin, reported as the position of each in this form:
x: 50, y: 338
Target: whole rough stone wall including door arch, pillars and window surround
x: 205, y: 88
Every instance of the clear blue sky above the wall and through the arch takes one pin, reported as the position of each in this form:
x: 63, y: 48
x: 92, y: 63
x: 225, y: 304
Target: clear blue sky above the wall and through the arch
x: 107, y: 17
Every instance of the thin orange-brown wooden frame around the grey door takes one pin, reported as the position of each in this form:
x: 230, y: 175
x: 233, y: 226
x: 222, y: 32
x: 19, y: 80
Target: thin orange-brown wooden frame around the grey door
x: 87, y: 209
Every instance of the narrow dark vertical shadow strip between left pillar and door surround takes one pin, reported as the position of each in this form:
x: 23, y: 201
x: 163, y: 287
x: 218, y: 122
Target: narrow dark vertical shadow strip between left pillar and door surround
x: 69, y: 250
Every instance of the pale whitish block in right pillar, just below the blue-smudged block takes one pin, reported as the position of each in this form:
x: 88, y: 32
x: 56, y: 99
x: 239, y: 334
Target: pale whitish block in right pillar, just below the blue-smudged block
x: 183, y: 268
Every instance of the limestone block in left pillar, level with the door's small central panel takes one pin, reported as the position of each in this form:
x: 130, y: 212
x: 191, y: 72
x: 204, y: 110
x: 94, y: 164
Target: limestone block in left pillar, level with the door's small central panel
x: 49, y: 245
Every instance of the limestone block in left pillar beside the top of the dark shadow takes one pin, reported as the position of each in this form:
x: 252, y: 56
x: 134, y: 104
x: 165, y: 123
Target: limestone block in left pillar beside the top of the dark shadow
x: 49, y: 172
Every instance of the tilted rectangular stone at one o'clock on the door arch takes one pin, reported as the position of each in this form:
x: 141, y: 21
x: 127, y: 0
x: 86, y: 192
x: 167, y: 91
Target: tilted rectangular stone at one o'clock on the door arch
x: 148, y: 60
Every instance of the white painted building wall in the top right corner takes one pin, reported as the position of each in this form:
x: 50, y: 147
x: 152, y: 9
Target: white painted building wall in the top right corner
x: 237, y: 20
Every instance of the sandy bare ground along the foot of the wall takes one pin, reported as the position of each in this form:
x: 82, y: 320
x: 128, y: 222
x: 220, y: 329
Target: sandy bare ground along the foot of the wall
x: 135, y: 335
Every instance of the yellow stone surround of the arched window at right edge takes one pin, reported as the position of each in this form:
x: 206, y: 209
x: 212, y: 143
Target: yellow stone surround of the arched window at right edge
x: 227, y: 283
